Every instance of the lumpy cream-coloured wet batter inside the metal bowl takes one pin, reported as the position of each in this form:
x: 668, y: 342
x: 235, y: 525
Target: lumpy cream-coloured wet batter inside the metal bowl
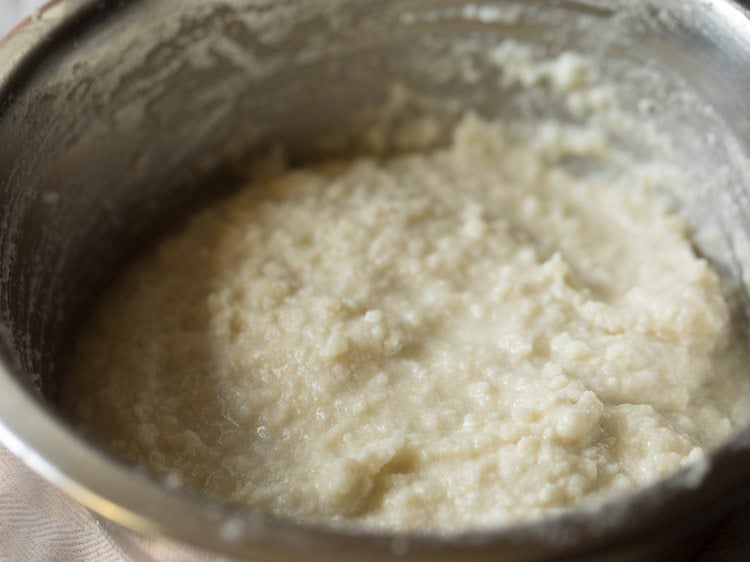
x: 446, y: 340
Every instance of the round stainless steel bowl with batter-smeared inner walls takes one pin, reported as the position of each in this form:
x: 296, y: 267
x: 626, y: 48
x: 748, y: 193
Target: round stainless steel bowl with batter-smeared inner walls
x: 117, y: 116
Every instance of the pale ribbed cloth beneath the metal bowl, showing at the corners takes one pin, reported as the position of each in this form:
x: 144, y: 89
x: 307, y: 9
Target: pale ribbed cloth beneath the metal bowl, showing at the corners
x: 40, y: 523
